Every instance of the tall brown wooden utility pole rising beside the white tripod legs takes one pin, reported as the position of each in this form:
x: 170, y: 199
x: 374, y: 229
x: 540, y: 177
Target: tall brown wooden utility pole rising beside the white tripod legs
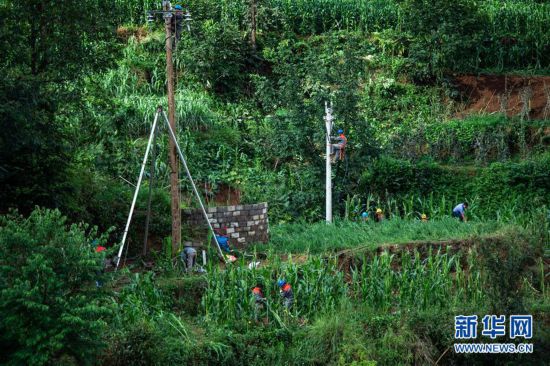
x: 174, y: 183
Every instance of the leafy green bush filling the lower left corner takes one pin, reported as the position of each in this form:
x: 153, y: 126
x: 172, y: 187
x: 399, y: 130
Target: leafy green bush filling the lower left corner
x: 49, y: 304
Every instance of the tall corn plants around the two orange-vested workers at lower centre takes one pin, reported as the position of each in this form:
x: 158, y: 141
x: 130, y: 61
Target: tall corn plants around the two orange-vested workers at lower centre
x: 228, y: 297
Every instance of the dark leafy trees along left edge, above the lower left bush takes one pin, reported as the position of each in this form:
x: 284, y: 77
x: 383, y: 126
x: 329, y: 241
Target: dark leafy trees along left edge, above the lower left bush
x: 47, y: 47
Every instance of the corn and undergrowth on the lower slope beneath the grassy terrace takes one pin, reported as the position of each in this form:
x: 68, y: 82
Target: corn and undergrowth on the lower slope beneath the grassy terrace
x: 359, y: 308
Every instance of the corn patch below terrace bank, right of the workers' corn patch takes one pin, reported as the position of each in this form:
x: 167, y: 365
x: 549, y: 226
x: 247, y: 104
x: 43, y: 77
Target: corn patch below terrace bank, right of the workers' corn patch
x: 438, y: 280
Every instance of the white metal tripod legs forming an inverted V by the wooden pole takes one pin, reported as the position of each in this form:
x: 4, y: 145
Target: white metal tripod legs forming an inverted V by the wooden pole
x: 152, y: 135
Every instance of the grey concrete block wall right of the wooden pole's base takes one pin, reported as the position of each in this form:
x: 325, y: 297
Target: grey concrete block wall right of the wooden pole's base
x: 245, y: 224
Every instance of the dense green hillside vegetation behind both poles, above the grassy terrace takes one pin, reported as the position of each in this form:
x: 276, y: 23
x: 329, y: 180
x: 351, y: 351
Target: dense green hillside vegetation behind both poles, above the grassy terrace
x: 251, y: 114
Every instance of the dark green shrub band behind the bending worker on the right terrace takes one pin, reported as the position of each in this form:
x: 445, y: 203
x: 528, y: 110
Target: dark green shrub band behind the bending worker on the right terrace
x: 503, y: 189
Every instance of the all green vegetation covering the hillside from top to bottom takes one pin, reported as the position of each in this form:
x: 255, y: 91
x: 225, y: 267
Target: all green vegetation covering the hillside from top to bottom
x: 81, y: 82
